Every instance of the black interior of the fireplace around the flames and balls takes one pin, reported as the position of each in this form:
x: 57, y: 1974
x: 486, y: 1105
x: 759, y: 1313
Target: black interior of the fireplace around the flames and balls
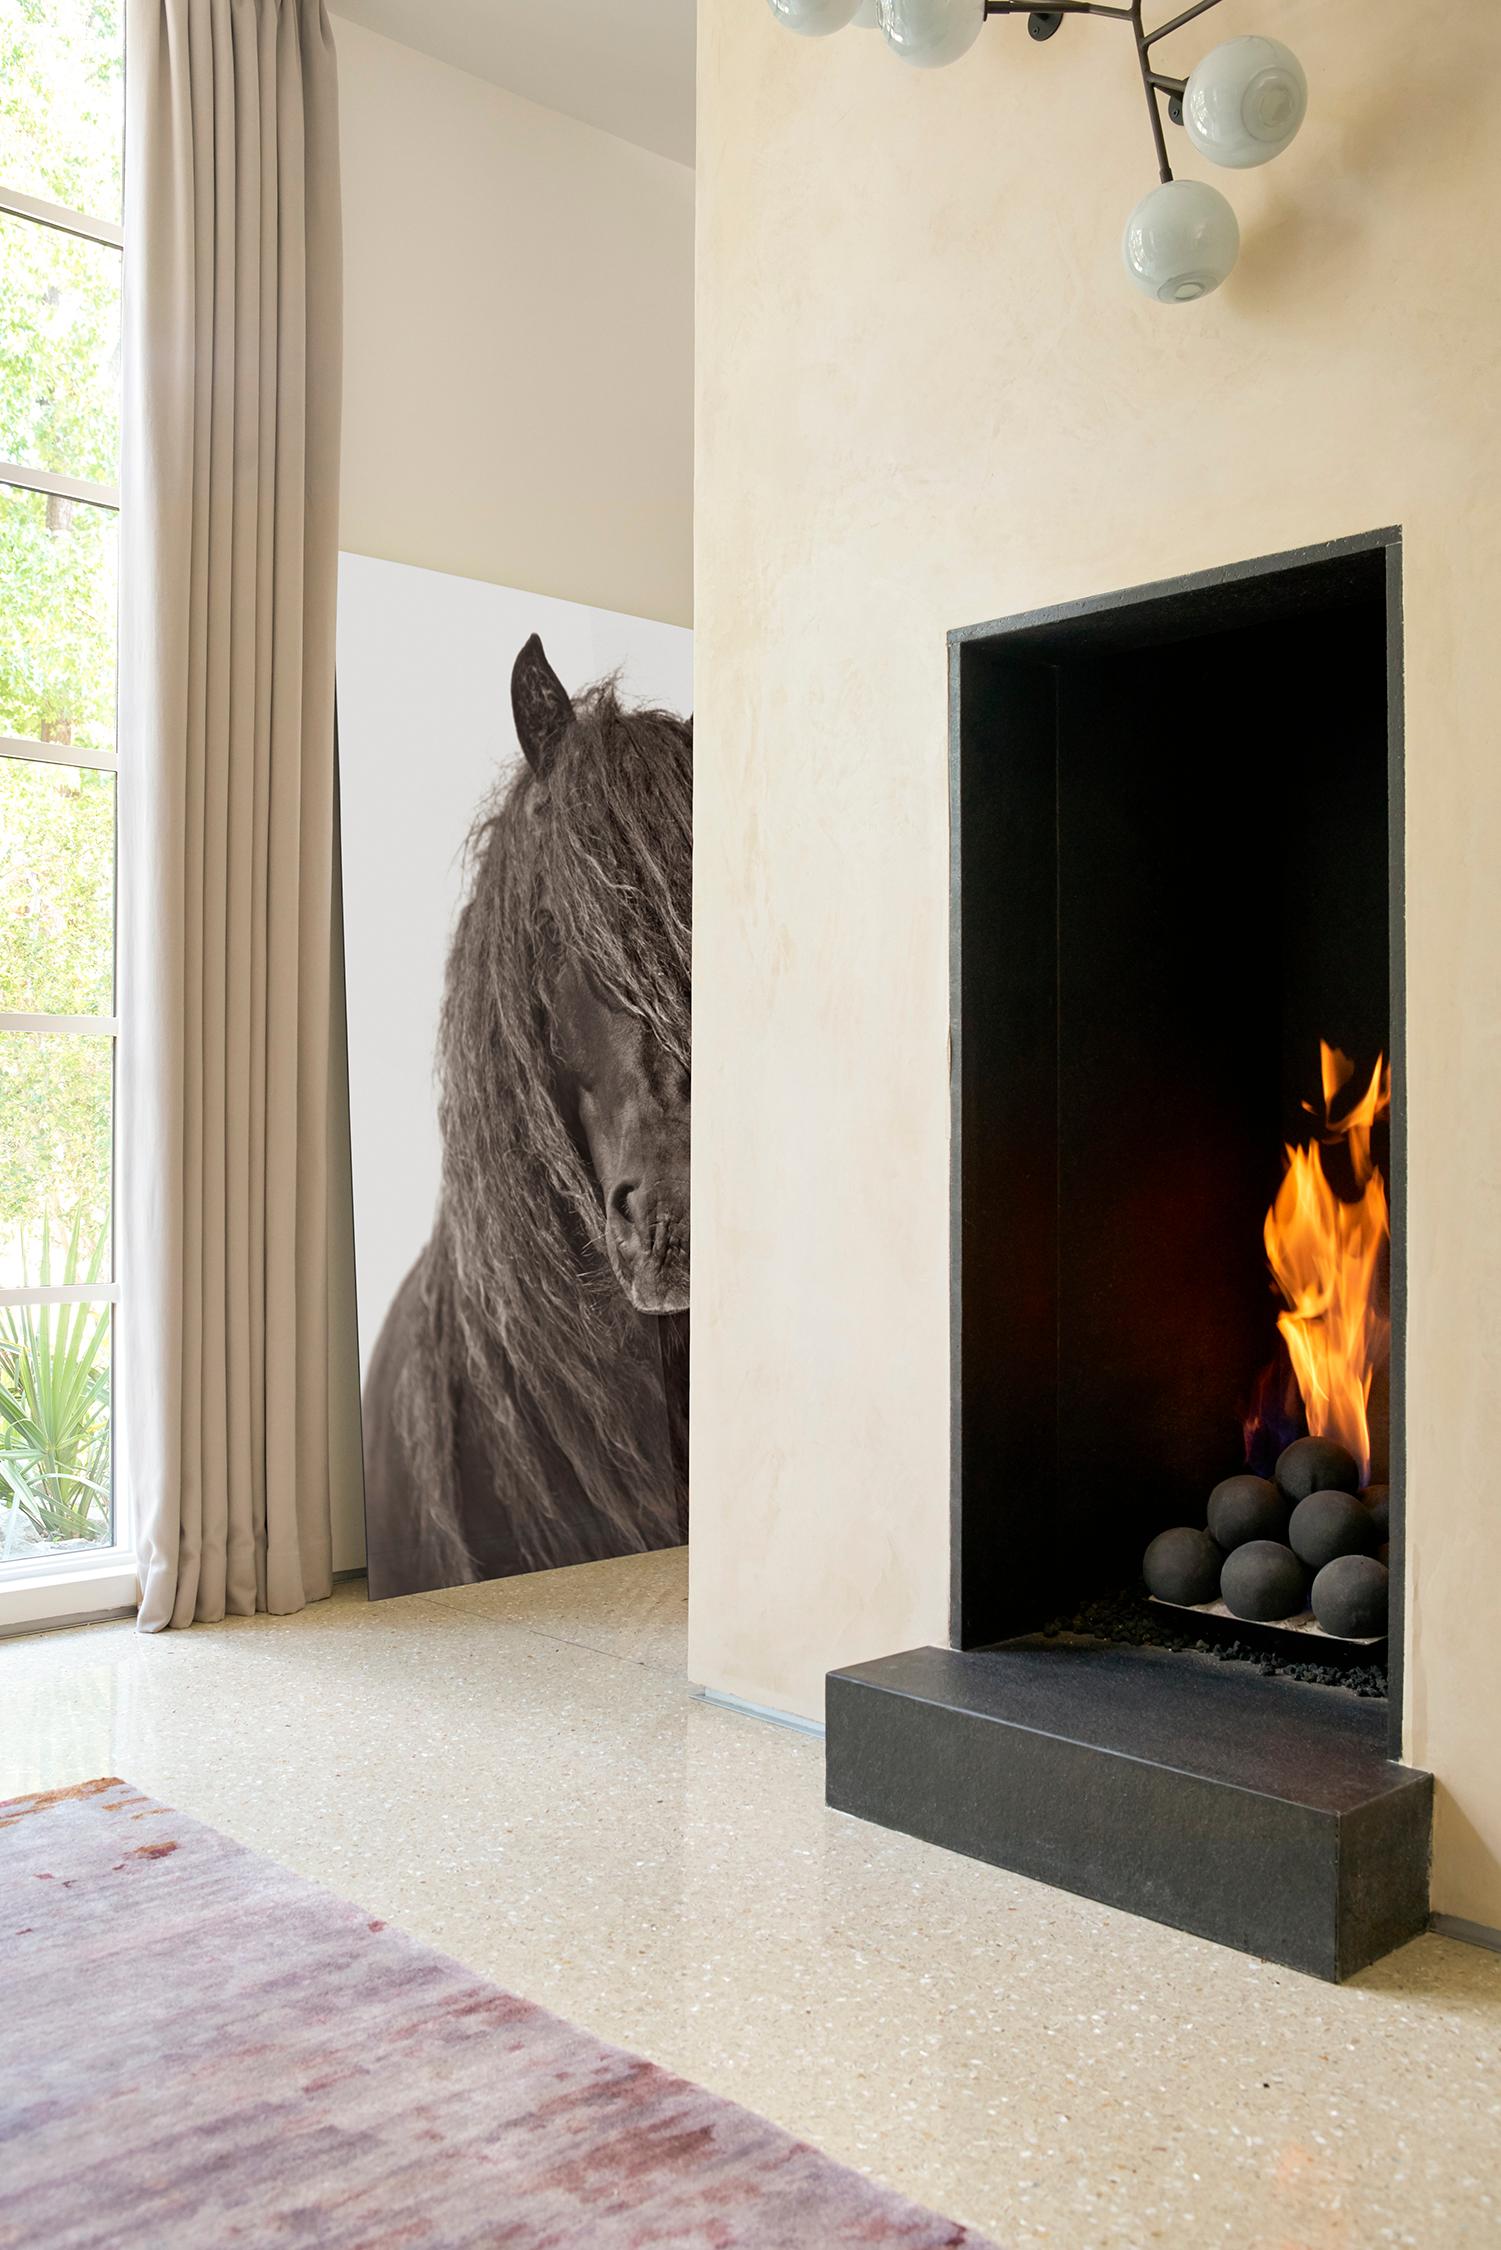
x: 1176, y: 861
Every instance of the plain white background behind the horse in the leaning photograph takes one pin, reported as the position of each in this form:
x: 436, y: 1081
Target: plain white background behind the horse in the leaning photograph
x: 424, y: 681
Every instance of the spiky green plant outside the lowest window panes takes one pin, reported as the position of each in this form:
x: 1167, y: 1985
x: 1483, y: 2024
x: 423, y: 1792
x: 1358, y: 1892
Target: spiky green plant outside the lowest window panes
x: 55, y: 1410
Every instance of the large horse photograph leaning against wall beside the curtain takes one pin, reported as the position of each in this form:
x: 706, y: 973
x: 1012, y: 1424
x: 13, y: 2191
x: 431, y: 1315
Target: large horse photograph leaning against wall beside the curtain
x: 516, y: 786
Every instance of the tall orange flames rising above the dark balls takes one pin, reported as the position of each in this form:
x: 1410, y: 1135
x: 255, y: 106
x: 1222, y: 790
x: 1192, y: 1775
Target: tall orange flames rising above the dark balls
x: 1327, y: 1257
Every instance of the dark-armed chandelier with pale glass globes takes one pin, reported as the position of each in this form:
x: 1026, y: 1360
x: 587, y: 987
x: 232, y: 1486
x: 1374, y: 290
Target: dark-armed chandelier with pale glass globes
x: 1241, y: 107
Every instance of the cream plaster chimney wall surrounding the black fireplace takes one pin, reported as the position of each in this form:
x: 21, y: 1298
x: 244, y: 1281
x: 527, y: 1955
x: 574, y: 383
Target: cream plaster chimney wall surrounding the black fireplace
x: 928, y: 397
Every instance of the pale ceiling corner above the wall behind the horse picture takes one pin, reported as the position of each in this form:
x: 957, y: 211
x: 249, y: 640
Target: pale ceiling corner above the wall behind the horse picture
x: 624, y: 66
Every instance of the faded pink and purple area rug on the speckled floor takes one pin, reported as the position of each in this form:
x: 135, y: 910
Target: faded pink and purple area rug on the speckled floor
x: 201, y: 2049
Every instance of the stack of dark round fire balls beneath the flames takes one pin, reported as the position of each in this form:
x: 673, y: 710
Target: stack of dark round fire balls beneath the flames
x: 1275, y: 1551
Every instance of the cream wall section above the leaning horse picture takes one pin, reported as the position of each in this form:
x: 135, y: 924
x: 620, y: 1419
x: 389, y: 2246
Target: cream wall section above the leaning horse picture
x: 519, y: 339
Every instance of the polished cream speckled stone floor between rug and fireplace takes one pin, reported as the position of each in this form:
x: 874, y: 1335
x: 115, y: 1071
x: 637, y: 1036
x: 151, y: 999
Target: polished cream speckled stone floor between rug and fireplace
x: 523, y: 1776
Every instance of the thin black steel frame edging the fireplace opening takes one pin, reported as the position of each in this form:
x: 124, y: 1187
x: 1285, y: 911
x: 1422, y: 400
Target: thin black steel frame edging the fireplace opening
x: 1165, y: 597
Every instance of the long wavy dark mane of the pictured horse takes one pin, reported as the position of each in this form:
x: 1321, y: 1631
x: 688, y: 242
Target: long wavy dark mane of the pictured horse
x: 519, y: 1306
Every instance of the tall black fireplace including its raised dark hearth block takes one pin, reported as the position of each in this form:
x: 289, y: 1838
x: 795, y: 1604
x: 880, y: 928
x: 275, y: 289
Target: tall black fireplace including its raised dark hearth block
x: 1176, y: 903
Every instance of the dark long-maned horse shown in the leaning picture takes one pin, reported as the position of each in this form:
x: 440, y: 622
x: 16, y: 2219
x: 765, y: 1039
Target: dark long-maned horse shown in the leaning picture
x: 528, y: 1396
